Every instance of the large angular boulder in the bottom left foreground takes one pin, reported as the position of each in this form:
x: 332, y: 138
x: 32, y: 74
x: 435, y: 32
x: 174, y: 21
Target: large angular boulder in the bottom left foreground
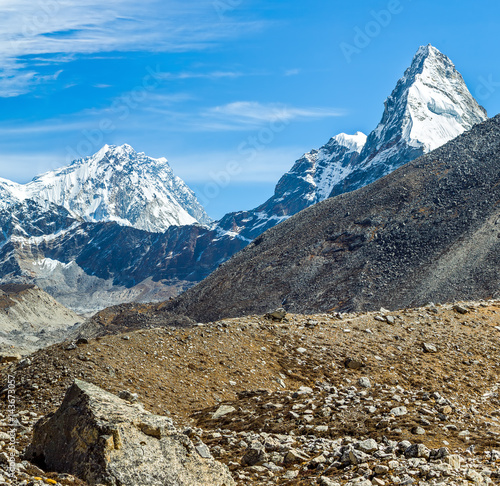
x: 105, y: 440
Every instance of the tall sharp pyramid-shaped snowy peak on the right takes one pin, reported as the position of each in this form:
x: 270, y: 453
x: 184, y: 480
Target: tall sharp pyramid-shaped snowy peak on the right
x: 430, y: 106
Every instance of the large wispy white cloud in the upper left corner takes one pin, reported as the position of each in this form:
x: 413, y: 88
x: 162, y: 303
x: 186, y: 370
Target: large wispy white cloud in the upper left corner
x: 49, y: 32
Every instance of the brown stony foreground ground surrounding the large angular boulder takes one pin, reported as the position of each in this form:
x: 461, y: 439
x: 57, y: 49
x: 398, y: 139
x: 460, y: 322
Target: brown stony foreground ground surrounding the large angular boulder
x: 381, y: 398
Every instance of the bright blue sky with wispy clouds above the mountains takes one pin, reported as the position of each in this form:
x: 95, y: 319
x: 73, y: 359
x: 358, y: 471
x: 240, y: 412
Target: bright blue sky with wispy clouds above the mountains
x: 231, y: 92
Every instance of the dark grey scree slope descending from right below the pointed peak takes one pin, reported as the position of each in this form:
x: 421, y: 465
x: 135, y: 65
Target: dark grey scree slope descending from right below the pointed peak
x: 430, y: 231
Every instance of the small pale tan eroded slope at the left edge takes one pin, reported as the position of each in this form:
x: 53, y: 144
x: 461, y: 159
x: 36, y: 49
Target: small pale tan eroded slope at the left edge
x: 31, y: 319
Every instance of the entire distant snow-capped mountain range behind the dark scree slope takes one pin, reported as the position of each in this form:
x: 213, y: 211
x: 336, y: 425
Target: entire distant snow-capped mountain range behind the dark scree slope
x: 120, y: 226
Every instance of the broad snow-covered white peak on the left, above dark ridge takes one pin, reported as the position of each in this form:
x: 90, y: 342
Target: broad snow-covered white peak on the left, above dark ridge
x: 116, y: 184
